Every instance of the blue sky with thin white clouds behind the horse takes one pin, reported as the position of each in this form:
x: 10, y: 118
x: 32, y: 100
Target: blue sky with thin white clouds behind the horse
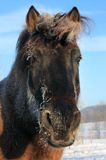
x: 93, y: 45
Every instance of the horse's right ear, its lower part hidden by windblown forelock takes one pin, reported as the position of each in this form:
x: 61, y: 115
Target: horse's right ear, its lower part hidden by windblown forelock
x: 74, y: 15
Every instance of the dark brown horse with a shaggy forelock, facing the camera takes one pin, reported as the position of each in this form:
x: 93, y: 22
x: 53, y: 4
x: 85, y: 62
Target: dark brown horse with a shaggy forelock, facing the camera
x: 39, y: 116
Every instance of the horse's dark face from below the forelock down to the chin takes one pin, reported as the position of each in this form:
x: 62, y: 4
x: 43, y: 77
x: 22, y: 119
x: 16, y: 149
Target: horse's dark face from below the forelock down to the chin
x: 54, y: 82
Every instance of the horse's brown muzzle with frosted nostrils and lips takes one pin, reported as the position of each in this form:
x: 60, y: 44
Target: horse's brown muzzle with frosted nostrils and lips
x: 62, y: 130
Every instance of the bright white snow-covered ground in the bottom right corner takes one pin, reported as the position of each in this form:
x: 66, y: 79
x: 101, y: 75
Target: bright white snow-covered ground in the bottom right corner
x: 86, y: 150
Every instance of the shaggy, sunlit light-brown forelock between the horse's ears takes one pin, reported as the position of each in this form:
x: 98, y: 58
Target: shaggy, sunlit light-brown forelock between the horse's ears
x: 56, y: 26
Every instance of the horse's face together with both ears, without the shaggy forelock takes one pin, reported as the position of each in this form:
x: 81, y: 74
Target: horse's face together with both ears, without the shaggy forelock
x: 53, y: 80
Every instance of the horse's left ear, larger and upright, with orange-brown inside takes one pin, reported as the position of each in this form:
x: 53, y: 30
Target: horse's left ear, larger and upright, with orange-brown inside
x: 32, y: 19
